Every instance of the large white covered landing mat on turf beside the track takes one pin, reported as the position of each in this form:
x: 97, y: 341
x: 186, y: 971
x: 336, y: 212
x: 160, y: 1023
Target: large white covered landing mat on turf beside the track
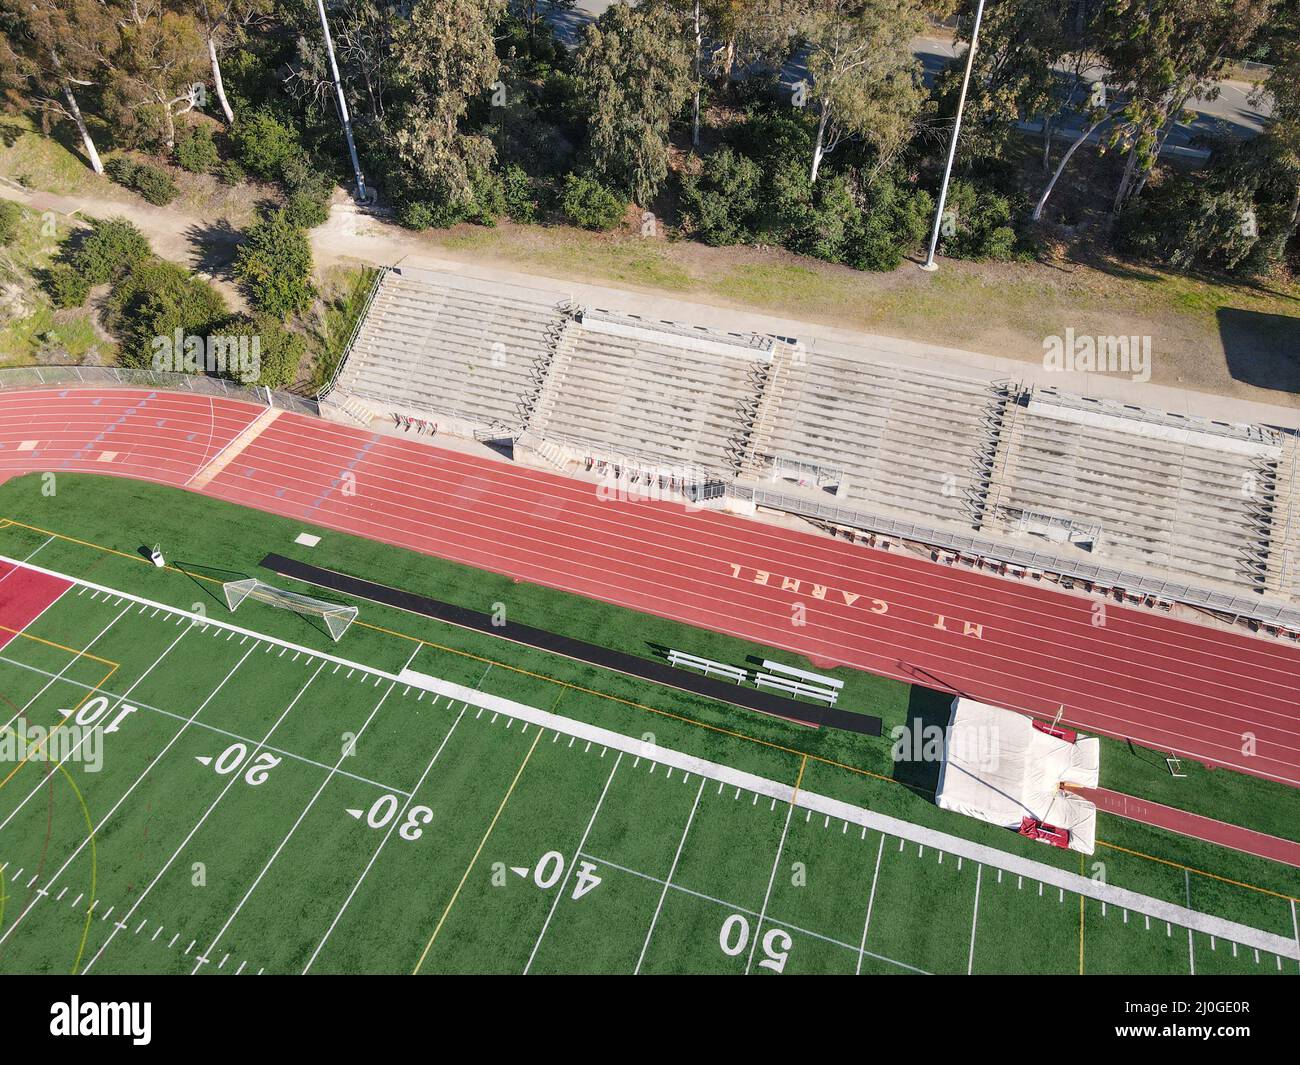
x: 1000, y: 769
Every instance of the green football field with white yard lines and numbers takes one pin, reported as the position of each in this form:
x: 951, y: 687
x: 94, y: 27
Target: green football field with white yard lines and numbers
x: 268, y: 802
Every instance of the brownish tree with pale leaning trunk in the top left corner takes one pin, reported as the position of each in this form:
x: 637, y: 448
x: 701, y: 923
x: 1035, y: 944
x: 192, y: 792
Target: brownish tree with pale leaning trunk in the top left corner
x: 50, y: 49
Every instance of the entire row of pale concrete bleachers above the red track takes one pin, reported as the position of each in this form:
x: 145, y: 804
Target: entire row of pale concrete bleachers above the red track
x: 850, y: 438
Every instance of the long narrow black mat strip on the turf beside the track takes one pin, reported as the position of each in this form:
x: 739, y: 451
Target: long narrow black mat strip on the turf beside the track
x: 645, y: 669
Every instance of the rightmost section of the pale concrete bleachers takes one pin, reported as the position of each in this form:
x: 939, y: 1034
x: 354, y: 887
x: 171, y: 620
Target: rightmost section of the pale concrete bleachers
x: 1195, y: 505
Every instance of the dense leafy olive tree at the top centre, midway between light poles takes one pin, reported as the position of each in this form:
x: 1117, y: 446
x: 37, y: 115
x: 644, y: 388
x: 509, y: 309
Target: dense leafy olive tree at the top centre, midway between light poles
x: 635, y: 77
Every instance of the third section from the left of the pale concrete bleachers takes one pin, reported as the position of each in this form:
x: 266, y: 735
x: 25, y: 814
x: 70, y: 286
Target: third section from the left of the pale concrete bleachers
x: 905, y: 440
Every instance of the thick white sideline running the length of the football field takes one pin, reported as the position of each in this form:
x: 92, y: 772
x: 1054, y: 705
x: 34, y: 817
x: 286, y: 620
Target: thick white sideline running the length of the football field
x: 1015, y: 864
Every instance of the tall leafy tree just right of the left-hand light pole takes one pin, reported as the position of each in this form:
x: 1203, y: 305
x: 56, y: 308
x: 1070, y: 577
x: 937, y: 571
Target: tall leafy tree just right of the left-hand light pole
x: 444, y: 58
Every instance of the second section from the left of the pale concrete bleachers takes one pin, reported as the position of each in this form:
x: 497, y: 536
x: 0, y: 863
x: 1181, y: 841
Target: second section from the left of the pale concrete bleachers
x: 683, y: 397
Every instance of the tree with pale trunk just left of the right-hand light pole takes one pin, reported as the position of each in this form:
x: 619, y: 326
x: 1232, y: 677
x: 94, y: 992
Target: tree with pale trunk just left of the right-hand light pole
x: 866, y: 83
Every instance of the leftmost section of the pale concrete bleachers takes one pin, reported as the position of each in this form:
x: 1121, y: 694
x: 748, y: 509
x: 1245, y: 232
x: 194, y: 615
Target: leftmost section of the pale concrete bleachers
x: 463, y: 348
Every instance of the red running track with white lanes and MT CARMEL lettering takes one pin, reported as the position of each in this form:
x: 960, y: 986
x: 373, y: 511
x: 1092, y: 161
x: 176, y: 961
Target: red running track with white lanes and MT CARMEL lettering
x: 1224, y: 699
